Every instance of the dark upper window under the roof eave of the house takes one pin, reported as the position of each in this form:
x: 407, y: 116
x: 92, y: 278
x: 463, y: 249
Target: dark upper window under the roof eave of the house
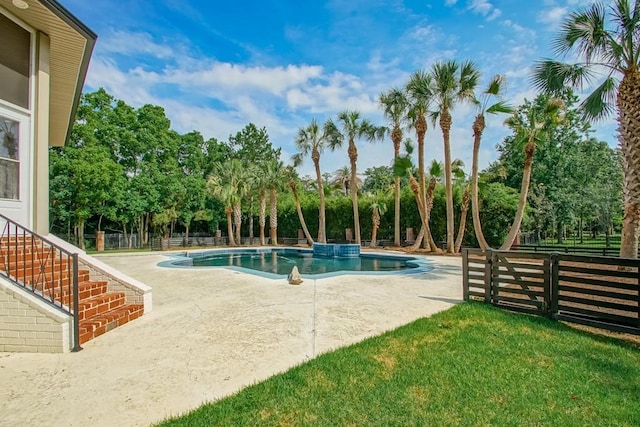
x: 14, y: 63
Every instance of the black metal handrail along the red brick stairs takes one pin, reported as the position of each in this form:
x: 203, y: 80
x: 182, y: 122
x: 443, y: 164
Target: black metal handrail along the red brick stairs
x: 42, y: 268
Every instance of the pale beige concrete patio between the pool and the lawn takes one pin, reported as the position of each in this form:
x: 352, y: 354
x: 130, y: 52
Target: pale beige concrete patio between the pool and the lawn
x: 211, y: 333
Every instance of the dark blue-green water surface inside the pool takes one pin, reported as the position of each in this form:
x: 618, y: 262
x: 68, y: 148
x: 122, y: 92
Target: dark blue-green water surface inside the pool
x: 281, y: 262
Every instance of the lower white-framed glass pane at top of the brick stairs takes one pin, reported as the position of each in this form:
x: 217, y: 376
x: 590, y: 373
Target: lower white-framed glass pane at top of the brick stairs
x: 9, y: 159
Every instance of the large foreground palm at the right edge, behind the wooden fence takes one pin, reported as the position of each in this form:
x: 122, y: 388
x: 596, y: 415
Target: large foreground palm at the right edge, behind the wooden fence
x: 613, y: 45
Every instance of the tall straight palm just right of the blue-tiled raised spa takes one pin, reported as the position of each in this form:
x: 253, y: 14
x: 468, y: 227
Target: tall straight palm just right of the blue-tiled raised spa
x: 394, y: 105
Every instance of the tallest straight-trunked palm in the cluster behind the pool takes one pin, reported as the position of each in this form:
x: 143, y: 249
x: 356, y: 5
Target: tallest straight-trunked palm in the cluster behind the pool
x: 452, y: 83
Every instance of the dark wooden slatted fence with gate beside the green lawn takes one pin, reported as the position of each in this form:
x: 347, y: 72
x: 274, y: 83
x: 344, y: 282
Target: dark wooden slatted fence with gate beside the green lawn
x: 598, y: 291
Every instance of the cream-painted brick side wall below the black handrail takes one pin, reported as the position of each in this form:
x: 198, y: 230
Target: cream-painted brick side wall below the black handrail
x: 28, y: 325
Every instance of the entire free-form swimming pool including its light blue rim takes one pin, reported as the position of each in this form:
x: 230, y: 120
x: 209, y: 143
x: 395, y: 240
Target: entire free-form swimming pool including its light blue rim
x: 278, y: 262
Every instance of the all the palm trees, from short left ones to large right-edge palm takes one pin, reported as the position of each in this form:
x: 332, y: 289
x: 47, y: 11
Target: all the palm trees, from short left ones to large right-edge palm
x: 430, y: 97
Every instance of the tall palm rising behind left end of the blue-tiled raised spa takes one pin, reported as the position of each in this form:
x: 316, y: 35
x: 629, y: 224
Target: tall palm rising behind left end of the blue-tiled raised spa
x: 312, y: 140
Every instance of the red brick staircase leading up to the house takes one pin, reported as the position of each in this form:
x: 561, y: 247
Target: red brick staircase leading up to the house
x: 46, y: 271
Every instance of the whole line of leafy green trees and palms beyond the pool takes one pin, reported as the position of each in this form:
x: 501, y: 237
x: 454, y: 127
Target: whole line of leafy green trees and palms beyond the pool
x: 147, y: 175
